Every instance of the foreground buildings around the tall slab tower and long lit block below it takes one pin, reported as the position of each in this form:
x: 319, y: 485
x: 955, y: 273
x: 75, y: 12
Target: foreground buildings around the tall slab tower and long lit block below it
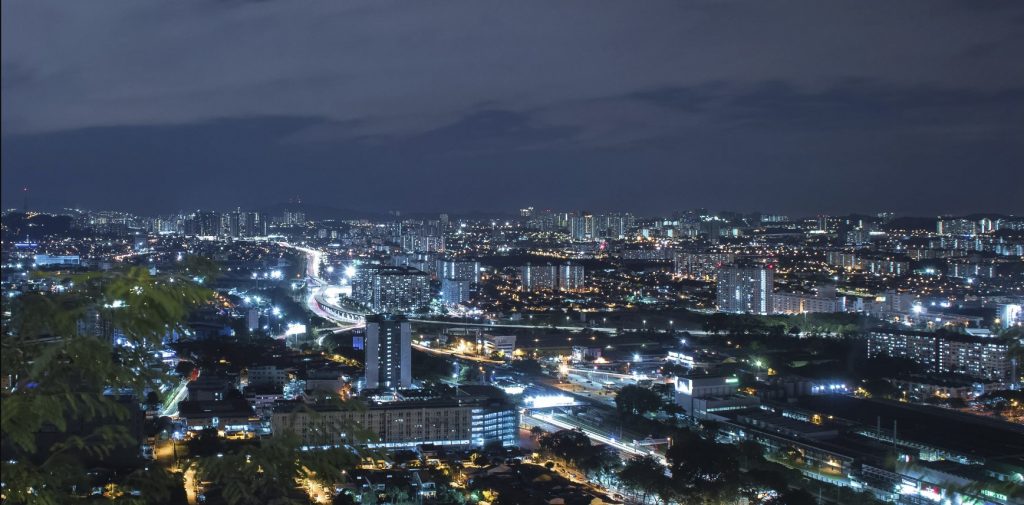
x: 392, y: 411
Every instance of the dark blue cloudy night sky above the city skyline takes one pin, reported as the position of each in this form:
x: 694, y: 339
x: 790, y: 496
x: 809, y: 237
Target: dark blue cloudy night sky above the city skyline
x: 790, y: 107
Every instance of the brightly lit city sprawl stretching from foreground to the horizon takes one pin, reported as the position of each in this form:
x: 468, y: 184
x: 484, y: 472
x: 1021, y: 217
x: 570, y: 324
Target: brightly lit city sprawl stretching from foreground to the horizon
x: 545, y: 357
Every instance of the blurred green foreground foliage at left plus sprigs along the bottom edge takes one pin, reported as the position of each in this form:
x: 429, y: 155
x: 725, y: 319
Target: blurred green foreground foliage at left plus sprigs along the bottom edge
x: 63, y: 364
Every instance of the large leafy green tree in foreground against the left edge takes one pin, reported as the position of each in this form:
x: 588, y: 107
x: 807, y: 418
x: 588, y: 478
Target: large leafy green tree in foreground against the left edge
x: 59, y: 349
